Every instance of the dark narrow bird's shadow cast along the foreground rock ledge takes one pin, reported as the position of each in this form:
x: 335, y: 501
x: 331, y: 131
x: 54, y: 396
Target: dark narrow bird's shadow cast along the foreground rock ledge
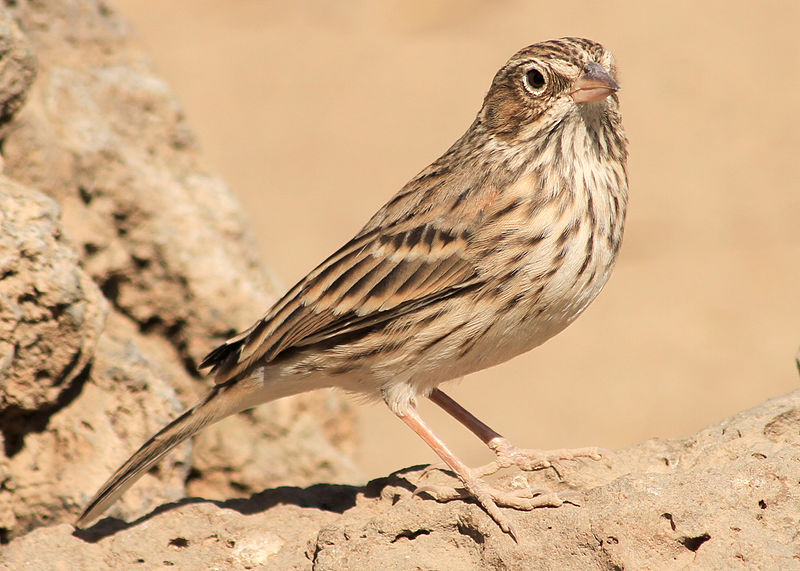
x: 336, y: 498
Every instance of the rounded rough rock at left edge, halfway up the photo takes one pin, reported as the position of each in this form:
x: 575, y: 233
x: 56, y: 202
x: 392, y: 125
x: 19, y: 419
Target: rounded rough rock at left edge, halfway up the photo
x: 51, y: 312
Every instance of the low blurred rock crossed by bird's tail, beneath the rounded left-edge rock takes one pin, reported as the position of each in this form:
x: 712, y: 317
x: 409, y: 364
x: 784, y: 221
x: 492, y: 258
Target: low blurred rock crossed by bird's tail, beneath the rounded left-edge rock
x: 66, y: 453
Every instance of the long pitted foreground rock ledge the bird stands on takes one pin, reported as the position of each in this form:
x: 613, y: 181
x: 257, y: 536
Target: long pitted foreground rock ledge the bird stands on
x: 724, y: 498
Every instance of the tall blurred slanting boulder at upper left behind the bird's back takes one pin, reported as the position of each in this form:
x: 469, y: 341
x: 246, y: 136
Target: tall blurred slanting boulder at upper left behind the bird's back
x: 106, y: 138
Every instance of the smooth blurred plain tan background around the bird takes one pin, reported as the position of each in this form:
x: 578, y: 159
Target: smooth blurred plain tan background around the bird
x: 317, y: 112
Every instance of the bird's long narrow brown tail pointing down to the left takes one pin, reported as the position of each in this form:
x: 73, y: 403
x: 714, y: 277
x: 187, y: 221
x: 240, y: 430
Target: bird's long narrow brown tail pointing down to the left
x: 224, y: 400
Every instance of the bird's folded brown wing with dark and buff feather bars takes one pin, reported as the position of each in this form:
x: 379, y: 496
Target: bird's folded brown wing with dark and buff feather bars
x: 379, y: 275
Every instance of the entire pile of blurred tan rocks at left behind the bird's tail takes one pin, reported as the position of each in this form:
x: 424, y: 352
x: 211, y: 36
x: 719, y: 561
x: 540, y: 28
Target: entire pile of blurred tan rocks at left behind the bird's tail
x: 122, y: 261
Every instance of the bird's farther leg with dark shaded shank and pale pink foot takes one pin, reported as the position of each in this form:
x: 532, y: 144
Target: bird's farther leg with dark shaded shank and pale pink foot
x: 506, y: 453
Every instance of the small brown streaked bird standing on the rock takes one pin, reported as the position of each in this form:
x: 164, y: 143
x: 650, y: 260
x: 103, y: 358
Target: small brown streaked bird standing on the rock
x: 488, y: 252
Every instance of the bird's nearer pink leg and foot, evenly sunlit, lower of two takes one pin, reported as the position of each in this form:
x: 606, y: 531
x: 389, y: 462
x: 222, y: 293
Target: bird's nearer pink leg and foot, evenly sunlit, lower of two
x: 474, y: 487
